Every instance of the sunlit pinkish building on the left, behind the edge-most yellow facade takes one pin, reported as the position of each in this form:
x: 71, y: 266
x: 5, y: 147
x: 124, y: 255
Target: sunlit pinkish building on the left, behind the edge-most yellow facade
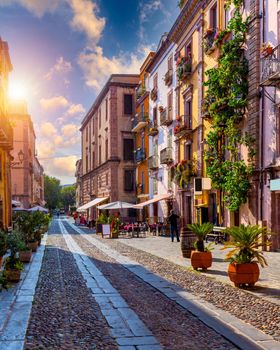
x: 27, y: 173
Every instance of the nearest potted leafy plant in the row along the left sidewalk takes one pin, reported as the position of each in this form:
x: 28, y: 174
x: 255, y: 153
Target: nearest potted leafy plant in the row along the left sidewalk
x: 13, y: 266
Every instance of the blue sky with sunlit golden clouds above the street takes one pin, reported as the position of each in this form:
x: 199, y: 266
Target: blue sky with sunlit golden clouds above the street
x: 62, y: 52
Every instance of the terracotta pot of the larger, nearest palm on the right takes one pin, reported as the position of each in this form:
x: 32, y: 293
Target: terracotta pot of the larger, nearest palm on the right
x: 241, y: 274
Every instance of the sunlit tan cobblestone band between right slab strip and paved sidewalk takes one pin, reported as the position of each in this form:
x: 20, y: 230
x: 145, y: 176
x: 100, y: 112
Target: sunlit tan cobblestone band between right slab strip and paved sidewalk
x: 256, y: 311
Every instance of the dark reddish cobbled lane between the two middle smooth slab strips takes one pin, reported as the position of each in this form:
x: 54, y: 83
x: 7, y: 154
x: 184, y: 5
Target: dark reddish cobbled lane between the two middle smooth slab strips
x: 173, y: 326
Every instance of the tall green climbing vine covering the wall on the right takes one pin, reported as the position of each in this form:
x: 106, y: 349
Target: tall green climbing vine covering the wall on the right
x: 225, y: 102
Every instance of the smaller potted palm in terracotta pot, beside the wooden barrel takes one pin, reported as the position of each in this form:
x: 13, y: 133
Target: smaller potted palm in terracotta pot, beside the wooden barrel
x: 201, y: 257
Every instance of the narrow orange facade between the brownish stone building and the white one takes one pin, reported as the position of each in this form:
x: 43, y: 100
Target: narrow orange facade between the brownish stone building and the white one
x: 140, y: 127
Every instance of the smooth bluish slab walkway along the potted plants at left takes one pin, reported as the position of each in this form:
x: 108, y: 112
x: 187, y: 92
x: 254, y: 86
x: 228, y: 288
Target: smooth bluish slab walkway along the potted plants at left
x: 16, y: 304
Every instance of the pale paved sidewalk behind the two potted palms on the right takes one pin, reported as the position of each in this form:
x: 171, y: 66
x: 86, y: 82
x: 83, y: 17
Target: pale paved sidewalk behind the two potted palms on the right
x: 268, y: 286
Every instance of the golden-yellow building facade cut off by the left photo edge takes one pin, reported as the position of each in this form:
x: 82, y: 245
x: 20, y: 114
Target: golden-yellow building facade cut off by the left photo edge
x: 6, y: 139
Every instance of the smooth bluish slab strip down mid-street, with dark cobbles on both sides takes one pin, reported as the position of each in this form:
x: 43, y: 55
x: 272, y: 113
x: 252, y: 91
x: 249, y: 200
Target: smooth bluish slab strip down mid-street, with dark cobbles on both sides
x: 126, y: 327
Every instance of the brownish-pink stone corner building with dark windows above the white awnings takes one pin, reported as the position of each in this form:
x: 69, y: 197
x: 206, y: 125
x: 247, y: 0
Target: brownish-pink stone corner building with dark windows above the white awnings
x: 108, y: 167
